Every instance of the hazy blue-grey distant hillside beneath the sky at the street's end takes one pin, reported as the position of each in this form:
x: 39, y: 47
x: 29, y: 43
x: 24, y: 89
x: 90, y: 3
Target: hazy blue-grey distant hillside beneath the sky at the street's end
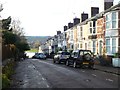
x: 41, y: 39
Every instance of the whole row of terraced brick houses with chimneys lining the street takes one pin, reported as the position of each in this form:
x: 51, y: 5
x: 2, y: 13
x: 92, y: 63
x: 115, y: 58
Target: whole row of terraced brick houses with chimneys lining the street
x: 100, y: 33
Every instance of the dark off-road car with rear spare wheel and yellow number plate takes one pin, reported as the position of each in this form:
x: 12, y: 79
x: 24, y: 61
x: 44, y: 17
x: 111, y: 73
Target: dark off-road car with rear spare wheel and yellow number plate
x: 81, y: 58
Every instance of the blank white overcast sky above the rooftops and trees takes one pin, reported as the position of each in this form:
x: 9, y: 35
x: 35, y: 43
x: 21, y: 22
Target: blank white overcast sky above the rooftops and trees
x: 45, y: 17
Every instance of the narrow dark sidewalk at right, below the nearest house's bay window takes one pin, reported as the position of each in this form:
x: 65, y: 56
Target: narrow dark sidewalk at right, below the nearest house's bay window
x: 109, y: 69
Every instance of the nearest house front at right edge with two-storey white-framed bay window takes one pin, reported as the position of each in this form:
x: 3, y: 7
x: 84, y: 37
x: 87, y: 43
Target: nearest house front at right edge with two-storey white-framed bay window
x: 112, y: 30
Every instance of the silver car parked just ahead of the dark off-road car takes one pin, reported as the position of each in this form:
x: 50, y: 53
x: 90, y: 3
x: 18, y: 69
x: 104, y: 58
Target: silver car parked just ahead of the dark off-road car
x: 61, y: 56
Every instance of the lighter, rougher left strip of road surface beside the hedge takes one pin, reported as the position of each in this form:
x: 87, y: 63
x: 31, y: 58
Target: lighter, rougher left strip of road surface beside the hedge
x: 26, y: 75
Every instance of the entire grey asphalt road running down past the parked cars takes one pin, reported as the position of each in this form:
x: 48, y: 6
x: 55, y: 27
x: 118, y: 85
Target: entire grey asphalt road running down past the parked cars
x: 35, y: 73
